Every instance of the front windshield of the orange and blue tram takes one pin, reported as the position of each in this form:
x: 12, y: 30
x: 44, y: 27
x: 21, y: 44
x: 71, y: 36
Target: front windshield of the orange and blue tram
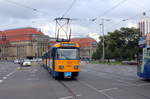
x: 67, y: 54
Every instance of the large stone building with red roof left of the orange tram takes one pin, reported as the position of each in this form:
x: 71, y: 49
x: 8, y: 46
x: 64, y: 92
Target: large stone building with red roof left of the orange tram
x: 22, y: 43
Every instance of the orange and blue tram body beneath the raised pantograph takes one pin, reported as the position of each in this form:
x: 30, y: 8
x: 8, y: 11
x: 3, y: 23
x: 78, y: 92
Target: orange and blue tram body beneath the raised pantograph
x: 62, y: 60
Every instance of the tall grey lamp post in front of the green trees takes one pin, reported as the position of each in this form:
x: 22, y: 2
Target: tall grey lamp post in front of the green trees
x: 103, y: 30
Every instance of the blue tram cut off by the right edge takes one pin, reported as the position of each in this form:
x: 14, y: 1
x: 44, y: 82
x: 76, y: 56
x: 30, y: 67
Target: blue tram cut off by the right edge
x: 143, y: 68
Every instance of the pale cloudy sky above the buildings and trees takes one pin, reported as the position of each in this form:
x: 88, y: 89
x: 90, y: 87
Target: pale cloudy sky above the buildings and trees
x: 41, y: 13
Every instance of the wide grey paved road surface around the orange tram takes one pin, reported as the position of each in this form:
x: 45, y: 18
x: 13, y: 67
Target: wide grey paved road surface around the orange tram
x: 95, y: 82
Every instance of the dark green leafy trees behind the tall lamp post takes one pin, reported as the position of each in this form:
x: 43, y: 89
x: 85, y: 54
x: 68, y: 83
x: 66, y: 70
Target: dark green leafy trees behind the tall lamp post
x: 120, y: 45
